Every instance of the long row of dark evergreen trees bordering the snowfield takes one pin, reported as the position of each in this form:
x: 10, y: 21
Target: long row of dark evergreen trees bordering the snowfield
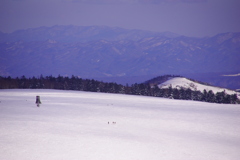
x: 76, y: 83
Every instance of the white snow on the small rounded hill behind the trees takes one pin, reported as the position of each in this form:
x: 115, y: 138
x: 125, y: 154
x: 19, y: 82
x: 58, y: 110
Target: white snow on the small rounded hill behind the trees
x: 179, y: 82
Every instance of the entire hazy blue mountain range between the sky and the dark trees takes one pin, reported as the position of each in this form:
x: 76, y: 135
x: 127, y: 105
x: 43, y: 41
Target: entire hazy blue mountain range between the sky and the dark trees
x: 109, y: 52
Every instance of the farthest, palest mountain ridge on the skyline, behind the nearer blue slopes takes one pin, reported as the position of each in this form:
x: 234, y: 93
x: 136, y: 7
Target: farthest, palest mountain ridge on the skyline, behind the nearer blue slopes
x: 71, y: 34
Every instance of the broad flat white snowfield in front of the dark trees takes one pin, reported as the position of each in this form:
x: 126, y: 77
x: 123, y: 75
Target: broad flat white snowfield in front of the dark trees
x: 74, y: 125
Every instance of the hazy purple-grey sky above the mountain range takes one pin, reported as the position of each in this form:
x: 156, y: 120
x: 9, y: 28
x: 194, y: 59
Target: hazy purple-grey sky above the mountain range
x: 187, y: 17
